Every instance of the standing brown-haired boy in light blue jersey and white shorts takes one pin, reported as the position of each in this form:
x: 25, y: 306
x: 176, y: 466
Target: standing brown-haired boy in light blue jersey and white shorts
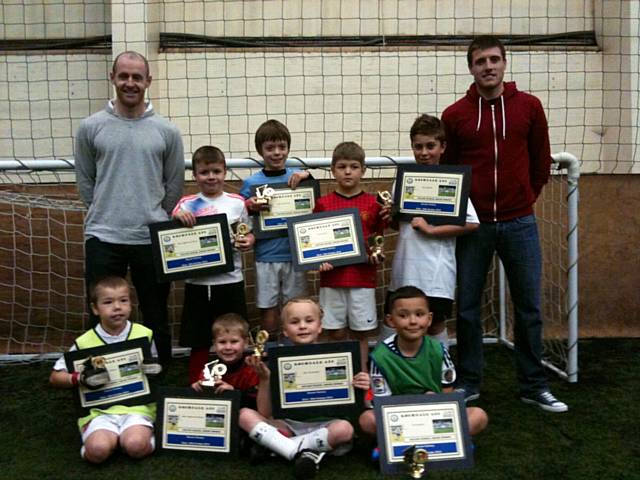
x: 276, y: 281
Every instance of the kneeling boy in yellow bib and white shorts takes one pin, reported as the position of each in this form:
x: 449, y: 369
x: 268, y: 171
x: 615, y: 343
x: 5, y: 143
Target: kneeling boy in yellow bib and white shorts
x: 103, y: 430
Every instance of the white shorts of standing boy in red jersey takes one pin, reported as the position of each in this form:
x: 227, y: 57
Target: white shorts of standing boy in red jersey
x: 354, y: 308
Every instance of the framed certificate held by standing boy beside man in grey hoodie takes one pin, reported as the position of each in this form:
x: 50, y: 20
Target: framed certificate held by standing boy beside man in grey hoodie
x: 184, y: 252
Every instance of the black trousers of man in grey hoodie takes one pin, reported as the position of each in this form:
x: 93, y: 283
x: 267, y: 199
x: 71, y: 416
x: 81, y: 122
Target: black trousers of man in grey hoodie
x: 103, y: 259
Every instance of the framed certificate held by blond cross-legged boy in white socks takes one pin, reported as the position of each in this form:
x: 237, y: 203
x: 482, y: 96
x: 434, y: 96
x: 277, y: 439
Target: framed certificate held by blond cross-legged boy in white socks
x: 311, y: 380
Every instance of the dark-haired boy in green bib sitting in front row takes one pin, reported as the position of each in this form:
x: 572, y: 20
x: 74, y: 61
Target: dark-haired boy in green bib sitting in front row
x: 409, y: 362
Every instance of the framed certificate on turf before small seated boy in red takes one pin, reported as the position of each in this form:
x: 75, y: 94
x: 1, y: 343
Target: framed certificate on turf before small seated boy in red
x: 197, y: 421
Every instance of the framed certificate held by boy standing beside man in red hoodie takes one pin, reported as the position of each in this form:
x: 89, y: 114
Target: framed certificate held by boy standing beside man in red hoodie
x: 439, y: 193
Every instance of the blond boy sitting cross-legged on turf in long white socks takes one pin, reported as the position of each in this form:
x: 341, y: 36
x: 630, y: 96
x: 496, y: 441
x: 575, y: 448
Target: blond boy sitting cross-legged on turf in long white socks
x: 306, y: 442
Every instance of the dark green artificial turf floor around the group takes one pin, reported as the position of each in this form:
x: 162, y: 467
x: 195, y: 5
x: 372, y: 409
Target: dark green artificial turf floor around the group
x: 599, y: 438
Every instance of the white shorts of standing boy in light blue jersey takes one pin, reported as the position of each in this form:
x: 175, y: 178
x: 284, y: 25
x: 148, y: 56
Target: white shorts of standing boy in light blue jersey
x: 277, y: 282
